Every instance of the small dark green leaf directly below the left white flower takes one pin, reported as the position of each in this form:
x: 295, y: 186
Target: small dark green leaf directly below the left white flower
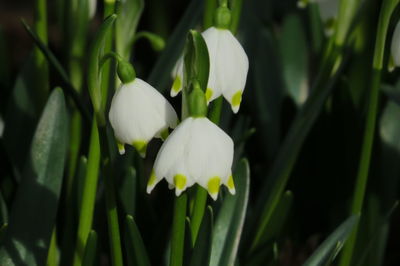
x: 127, y: 191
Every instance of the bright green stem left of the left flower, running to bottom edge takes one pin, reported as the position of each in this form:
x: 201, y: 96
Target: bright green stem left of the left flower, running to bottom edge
x: 89, y: 194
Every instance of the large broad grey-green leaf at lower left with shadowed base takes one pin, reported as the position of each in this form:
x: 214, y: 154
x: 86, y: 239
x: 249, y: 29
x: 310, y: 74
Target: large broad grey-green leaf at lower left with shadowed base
x: 35, y: 206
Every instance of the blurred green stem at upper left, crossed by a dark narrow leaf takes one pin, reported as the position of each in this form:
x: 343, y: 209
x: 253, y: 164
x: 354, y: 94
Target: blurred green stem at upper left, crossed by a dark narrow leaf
x: 41, y: 67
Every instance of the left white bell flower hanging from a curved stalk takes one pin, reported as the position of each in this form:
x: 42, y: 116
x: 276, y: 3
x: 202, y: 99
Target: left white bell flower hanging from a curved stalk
x: 138, y: 113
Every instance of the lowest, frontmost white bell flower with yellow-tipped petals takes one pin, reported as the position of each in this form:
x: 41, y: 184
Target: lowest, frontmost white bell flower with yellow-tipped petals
x: 197, y: 151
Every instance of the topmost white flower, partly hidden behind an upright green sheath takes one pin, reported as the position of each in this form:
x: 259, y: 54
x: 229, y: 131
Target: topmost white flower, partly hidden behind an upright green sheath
x: 228, y: 68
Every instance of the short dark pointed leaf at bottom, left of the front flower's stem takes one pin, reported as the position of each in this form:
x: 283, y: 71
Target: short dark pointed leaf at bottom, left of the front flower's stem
x: 138, y: 250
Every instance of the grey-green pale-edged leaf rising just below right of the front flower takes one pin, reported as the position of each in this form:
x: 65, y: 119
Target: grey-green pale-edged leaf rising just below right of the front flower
x: 230, y: 219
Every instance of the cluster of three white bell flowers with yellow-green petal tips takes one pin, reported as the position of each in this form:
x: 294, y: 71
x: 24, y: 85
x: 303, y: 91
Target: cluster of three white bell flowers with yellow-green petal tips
x: 197, y: 150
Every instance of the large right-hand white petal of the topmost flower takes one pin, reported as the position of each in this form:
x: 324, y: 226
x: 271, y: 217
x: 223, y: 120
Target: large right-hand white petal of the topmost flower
x: 232, y: 66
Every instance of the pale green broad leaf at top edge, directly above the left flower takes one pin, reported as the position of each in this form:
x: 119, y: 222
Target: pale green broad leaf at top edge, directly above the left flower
x: 125, y: 26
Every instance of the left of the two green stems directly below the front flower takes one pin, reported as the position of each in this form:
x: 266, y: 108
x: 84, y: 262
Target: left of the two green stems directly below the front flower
x: 178, y: 230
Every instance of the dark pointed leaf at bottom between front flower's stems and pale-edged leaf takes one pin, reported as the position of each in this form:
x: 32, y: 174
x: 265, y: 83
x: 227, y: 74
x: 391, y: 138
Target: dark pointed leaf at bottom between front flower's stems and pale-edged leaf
x: 202, y: 249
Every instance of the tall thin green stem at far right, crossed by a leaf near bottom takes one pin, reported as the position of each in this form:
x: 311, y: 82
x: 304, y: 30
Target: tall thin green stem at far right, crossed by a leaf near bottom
x: 388, y: 7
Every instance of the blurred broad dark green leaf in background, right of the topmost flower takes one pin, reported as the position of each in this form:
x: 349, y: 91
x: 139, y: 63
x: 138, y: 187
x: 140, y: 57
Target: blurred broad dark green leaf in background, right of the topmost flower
x: 293, y: 50
